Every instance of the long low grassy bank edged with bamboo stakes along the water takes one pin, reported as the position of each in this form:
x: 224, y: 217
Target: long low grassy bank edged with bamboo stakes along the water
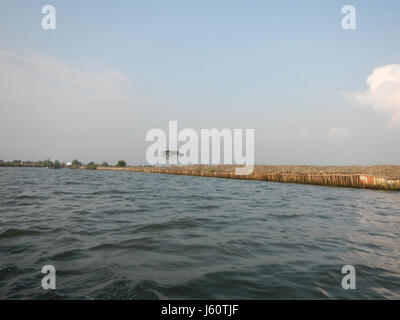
x: 378, y: 177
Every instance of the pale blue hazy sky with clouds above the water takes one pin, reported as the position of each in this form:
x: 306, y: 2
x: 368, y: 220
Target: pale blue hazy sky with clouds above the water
x: 112, y: 70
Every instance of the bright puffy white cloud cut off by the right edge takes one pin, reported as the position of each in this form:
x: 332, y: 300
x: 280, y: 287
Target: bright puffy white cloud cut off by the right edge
x: 383, y: 92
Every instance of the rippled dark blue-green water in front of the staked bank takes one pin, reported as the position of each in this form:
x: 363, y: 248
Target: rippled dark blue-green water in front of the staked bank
x: 125, y: 235
